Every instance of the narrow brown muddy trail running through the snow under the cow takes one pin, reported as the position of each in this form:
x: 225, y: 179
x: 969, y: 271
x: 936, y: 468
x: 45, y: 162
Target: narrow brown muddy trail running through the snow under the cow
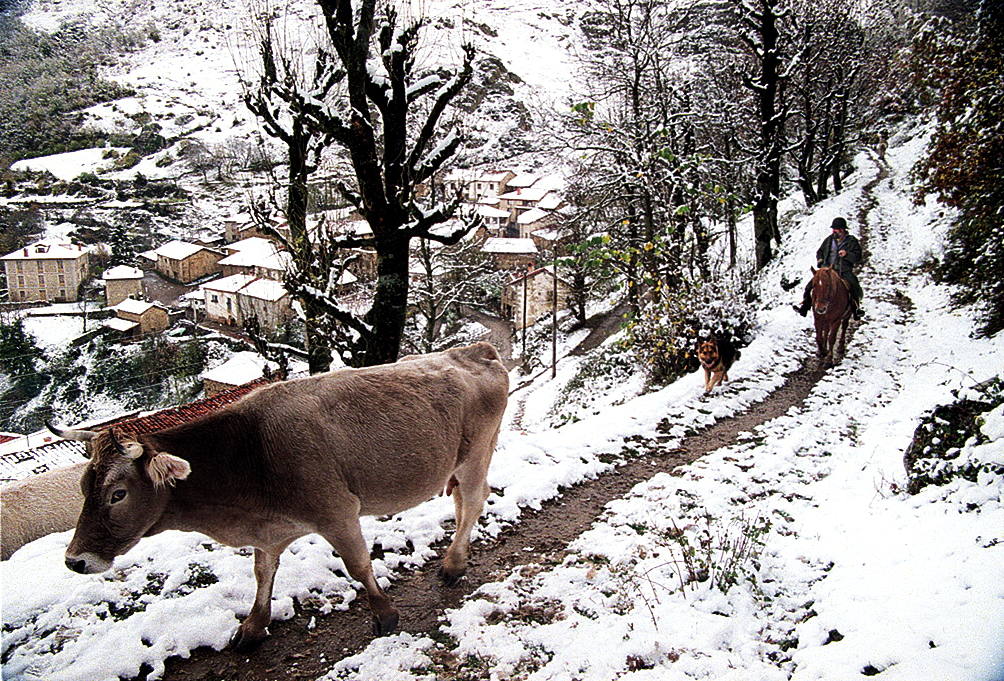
x: 308, y: 645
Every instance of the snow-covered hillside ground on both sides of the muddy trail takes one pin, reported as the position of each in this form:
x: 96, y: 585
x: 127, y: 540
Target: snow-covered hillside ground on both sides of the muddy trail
x: 854, y: 577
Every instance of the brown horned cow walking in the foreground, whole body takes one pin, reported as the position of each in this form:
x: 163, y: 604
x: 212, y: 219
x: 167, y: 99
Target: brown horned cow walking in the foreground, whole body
x: 302, y: 457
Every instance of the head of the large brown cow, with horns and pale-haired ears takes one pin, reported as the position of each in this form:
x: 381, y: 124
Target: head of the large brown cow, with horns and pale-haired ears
x: 125, y: 492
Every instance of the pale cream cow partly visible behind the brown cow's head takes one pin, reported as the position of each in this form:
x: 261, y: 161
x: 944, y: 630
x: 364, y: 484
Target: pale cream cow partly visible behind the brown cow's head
x: 40, y: 506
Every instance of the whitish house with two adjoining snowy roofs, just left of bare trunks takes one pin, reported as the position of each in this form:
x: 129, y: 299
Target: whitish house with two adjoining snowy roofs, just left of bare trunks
x: 233, y: 300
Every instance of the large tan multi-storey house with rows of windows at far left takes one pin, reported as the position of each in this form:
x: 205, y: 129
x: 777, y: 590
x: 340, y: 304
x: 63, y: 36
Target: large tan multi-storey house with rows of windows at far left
x: 47, y: 273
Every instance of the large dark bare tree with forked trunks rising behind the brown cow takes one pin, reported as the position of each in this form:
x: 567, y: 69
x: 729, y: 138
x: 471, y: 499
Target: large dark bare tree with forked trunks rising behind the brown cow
x: 367, y: 97
